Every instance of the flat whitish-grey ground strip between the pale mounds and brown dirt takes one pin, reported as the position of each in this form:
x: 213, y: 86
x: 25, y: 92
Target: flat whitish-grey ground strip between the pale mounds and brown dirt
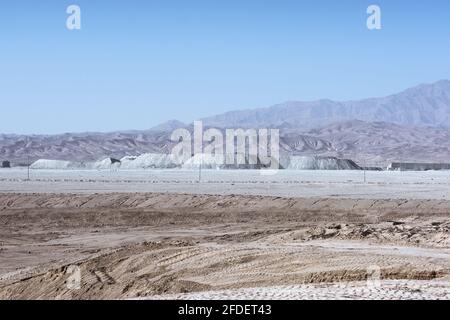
x: 284, y: 183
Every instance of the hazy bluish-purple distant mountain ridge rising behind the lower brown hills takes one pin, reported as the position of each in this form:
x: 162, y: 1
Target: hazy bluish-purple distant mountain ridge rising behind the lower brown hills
x: 423, y: 105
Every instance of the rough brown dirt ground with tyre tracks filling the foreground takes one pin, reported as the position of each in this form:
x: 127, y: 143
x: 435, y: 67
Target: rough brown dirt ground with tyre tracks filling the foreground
x: 156, y: 246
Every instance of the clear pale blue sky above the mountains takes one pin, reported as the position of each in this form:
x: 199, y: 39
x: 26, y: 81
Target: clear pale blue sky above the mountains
x: 135, y: 64
